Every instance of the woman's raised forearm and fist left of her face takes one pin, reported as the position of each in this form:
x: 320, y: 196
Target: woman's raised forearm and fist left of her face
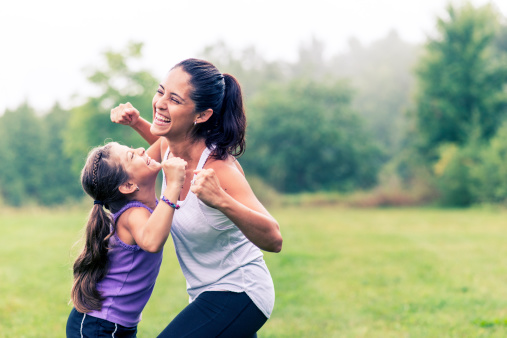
x: 127, y: 115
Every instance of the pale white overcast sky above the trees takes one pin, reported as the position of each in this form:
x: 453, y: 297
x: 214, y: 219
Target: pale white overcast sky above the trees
x: 46, y: 44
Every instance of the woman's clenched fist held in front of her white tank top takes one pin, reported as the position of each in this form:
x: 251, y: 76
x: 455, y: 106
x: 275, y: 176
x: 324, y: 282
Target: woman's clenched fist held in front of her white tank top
x: 206, y: 187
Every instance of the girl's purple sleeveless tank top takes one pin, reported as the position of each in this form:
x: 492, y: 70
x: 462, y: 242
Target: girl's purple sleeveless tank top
x: 130, y: 280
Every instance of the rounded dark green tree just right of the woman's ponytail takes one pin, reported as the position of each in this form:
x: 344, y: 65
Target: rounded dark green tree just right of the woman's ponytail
x: 305, y: 137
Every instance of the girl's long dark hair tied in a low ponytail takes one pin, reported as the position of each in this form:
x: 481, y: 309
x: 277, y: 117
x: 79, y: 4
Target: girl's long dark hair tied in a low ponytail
x: 100, y: 179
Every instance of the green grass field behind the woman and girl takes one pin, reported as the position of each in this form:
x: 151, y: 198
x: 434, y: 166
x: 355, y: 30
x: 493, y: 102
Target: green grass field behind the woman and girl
x: 341, y: 273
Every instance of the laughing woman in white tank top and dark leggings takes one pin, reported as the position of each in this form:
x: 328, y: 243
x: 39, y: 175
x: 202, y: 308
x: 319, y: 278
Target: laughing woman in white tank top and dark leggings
x: 198, y: 115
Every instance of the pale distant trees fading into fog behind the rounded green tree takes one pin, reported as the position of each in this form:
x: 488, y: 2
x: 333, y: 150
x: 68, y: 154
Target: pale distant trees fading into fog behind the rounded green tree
x: 379, y: 74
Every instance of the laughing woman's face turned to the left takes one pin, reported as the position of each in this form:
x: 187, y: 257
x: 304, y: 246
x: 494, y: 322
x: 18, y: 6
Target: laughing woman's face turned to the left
x: 173, y: 110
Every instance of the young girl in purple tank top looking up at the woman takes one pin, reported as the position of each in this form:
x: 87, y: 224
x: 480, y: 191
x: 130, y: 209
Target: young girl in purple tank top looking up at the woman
x: 115, y: 273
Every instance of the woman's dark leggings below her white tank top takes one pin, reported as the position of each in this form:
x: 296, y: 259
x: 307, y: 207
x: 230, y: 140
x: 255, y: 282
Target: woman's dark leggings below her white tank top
x: 217, y: 314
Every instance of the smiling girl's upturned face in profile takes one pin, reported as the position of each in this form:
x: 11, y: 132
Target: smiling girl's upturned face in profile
x: 139, y: 166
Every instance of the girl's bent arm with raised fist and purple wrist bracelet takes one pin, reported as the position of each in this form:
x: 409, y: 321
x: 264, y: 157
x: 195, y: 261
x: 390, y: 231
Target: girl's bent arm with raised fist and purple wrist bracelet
x: 150, y: 232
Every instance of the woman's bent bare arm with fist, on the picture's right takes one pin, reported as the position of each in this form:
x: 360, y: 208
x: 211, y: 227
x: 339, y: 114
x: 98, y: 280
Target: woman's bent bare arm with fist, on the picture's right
x: 225, y: 188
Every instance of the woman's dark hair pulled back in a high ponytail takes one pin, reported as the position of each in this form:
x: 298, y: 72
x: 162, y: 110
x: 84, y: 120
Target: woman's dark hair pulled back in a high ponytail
x: 225, y: 129
